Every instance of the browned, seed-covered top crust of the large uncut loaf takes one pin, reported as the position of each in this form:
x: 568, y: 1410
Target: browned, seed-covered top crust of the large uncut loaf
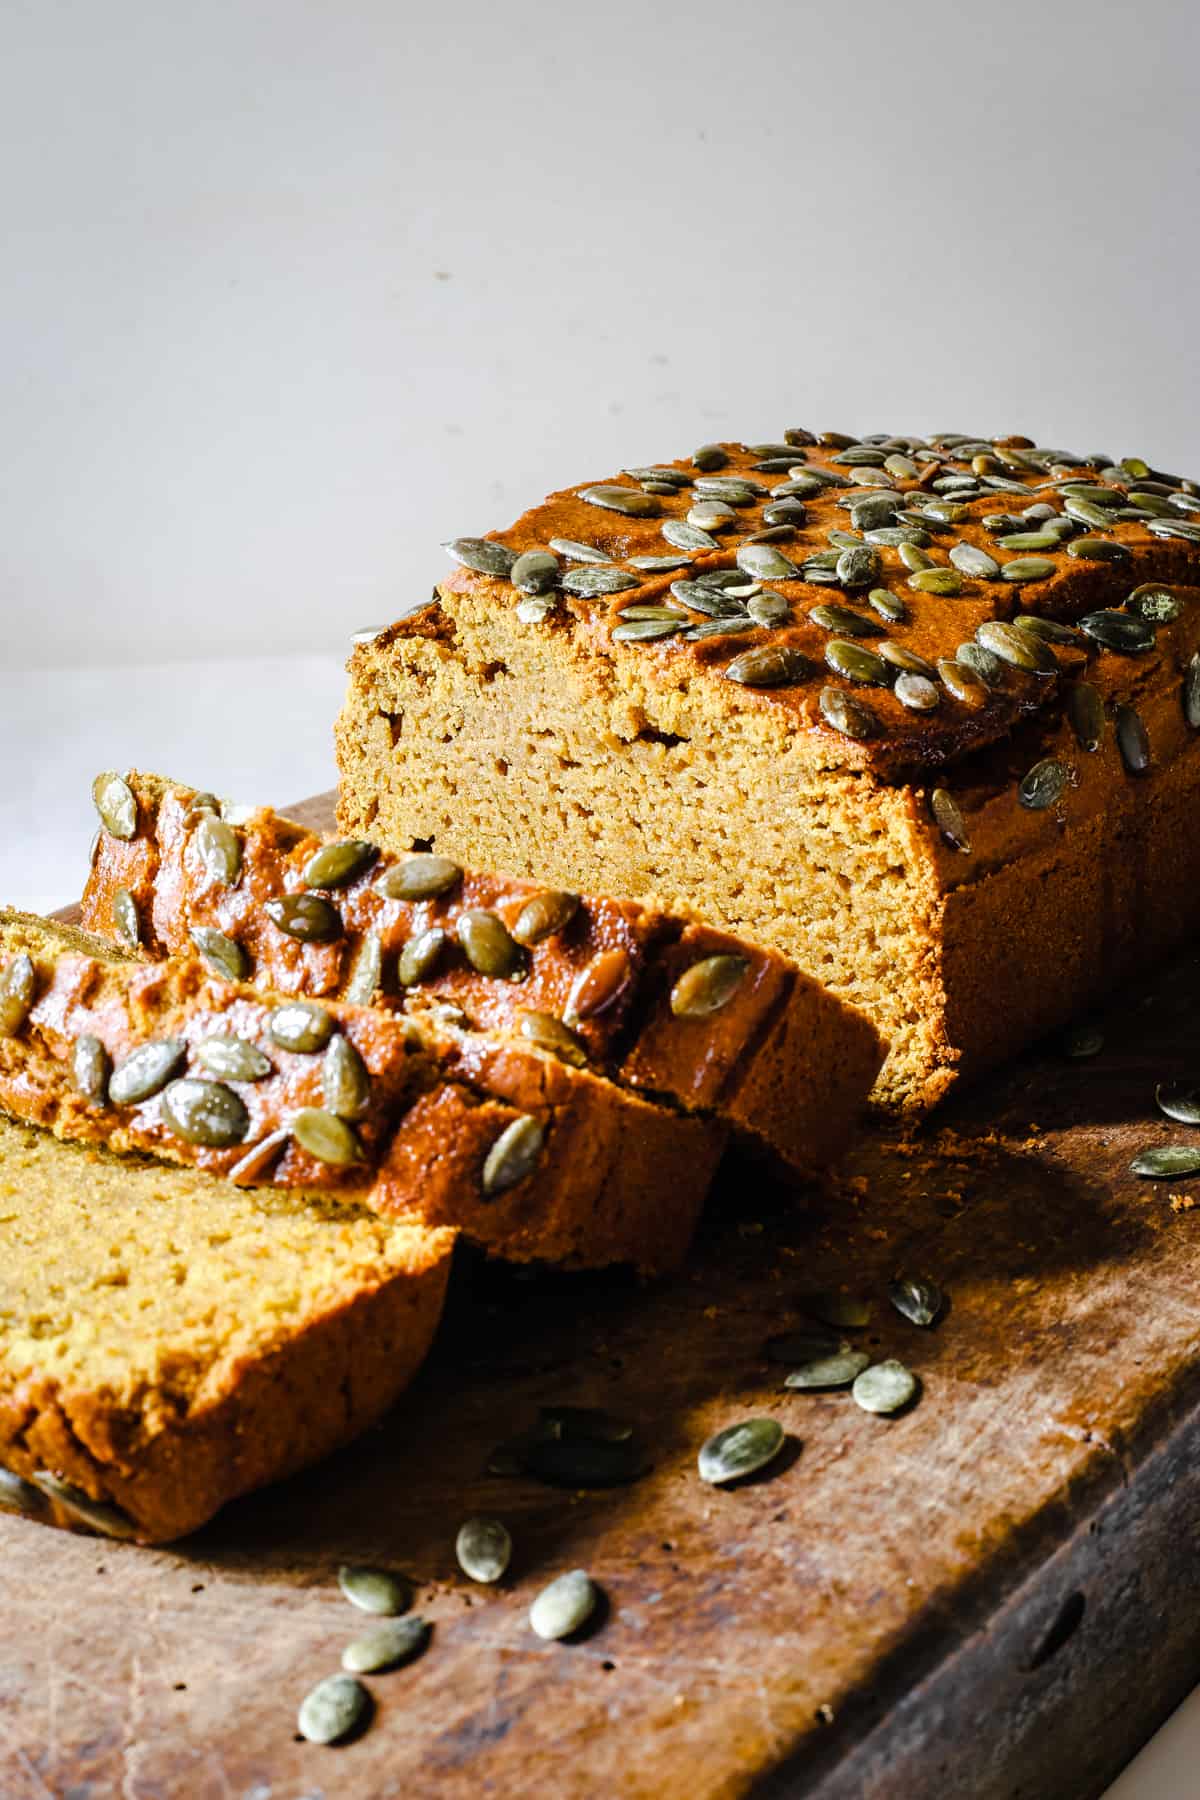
x: 1115, y: 530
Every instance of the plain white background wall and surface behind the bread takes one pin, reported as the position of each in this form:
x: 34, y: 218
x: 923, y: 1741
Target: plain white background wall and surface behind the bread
x: 296, y: 291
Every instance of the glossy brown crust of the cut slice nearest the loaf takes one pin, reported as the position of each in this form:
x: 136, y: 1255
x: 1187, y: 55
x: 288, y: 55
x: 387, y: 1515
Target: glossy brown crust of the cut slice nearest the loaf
x: 780, y: 1059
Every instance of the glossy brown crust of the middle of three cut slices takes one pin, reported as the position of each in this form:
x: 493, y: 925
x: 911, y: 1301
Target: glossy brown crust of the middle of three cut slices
x: 578, y: 1203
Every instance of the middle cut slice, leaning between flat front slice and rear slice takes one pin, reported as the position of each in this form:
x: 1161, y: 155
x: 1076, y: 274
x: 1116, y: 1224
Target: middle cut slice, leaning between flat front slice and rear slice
x: 420, y: 1120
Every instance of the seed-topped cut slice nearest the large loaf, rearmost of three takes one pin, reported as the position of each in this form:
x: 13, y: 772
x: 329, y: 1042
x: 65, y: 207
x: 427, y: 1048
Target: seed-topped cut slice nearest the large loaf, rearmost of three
x: 658, y: 1002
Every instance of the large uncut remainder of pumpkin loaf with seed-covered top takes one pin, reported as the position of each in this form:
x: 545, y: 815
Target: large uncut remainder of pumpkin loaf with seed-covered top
x: 920, y: 714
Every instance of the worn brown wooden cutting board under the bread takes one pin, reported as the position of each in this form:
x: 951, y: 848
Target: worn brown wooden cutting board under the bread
x: 992, y: 1596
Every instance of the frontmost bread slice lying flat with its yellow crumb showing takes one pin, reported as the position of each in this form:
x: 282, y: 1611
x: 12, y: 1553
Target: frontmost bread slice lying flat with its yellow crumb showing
x: 170, y: 1342
